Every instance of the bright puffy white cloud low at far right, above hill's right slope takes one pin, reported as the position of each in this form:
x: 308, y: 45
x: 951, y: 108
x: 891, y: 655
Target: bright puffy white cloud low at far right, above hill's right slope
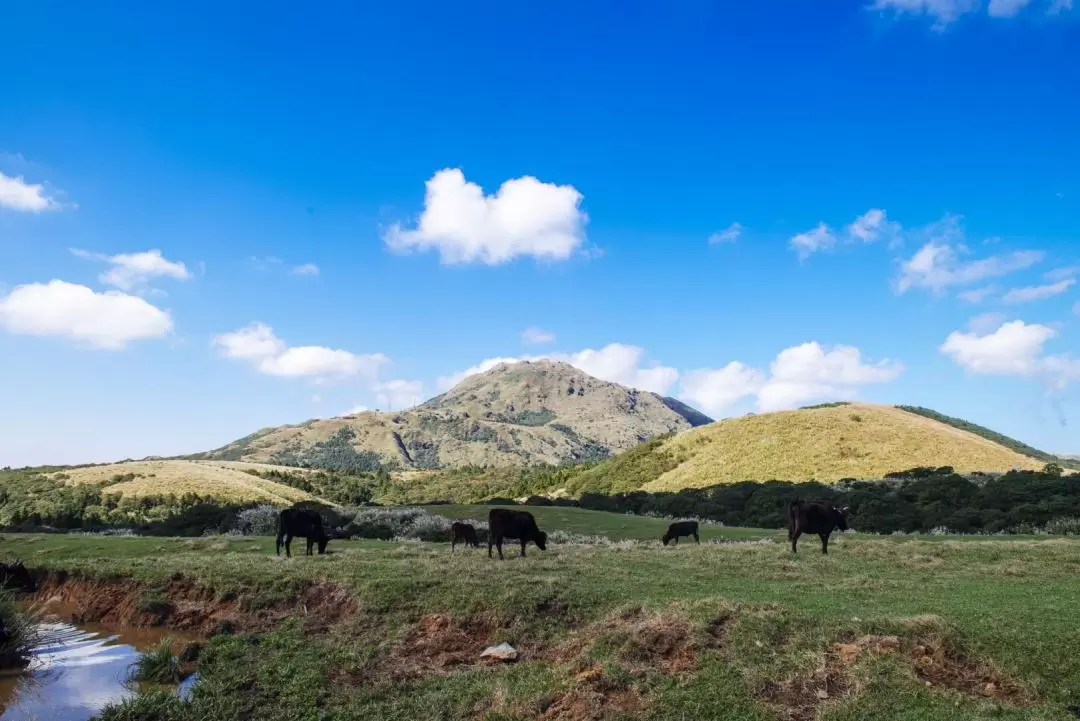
x: 1012, y: 350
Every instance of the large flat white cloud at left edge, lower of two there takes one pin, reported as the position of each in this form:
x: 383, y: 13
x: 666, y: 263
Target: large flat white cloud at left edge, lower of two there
x: 101, y: 320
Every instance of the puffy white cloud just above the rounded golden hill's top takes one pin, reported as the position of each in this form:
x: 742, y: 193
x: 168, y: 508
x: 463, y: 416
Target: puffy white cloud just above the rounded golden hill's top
x: 811, y: 373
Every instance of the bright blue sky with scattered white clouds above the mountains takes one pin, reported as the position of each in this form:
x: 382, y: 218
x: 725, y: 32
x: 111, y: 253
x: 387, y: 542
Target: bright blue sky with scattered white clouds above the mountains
x: 749, y: 206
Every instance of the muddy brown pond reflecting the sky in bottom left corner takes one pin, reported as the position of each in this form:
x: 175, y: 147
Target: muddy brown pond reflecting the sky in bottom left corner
x: 77, y: 671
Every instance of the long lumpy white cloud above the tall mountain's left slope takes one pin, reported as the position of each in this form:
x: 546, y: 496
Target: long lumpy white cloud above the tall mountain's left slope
x: 258, y: 345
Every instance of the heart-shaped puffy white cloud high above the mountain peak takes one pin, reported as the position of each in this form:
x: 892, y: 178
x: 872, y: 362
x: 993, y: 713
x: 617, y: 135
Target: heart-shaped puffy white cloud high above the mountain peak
x: 525, y: 217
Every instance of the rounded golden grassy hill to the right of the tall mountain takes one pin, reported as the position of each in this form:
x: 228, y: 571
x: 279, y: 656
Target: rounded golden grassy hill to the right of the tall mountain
x: 857, y: 441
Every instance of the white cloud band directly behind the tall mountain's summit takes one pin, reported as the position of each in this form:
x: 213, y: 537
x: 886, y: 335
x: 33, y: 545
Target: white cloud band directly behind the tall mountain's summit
x: 617, y: 363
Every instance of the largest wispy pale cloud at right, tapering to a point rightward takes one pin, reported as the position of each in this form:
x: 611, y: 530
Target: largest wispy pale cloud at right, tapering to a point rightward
x: 938, y: 266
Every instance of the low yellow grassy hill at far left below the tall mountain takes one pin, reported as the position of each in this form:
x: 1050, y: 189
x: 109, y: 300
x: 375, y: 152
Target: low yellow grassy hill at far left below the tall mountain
x: 222, y: 480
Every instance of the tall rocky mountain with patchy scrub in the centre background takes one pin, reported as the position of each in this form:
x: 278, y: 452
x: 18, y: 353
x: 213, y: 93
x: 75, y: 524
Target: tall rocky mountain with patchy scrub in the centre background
x: 529, y: 413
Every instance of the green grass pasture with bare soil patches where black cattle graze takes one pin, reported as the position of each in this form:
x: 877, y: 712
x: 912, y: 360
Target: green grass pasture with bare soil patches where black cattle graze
x: 985, y: 629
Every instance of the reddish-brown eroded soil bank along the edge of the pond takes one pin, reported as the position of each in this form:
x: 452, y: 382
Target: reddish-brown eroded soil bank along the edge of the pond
x: 184, y: 605
